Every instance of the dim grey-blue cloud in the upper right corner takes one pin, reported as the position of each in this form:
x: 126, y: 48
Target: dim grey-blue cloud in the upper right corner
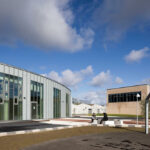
x: 118, y: 16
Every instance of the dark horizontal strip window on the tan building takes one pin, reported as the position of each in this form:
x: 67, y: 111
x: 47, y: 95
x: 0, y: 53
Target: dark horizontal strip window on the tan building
x: 124, y: 97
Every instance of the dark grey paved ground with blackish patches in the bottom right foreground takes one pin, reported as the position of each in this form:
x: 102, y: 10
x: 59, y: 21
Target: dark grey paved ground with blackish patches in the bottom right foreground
x: 109, y: 141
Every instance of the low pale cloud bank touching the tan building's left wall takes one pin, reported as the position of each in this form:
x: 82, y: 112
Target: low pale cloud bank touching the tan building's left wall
x: 94, y: 97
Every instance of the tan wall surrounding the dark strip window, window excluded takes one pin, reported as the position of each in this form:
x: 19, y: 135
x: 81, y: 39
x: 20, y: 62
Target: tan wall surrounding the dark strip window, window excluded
x: 126, y: 107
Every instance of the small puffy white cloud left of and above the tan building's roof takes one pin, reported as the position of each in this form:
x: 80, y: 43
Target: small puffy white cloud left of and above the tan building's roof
x: 101, y: 79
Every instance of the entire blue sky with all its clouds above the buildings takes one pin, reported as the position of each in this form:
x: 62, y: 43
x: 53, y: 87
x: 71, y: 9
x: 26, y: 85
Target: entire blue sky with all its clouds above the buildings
x: 89, y: 46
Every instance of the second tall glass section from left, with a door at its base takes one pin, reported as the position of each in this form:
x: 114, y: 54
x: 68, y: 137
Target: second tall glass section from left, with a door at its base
x: 36, y: 100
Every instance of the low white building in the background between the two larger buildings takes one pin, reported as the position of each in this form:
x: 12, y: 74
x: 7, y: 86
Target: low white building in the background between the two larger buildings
x: 85, y: 109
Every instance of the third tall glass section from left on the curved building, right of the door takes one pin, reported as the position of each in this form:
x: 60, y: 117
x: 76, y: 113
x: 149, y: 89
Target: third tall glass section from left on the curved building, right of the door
x: 56, y: 103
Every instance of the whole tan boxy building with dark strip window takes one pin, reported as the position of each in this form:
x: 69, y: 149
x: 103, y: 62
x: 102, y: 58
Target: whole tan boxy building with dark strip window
x: 126, y: 100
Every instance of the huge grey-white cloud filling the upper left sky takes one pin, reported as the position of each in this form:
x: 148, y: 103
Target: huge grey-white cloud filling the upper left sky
x: 45, y: 24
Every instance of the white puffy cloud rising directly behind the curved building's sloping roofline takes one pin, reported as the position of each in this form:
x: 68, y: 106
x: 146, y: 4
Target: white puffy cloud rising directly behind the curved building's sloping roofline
x: 70, y: 78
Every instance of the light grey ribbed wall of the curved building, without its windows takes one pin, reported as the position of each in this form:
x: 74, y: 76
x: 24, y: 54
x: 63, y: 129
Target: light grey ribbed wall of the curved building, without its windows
x: 48, y: 91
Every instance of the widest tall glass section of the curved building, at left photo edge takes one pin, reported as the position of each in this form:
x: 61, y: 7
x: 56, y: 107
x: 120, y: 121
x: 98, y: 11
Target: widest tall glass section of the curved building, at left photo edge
x: 10, y: 97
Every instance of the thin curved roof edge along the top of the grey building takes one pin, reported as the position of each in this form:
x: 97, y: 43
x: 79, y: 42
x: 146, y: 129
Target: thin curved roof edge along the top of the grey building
x: 34, y: 74
